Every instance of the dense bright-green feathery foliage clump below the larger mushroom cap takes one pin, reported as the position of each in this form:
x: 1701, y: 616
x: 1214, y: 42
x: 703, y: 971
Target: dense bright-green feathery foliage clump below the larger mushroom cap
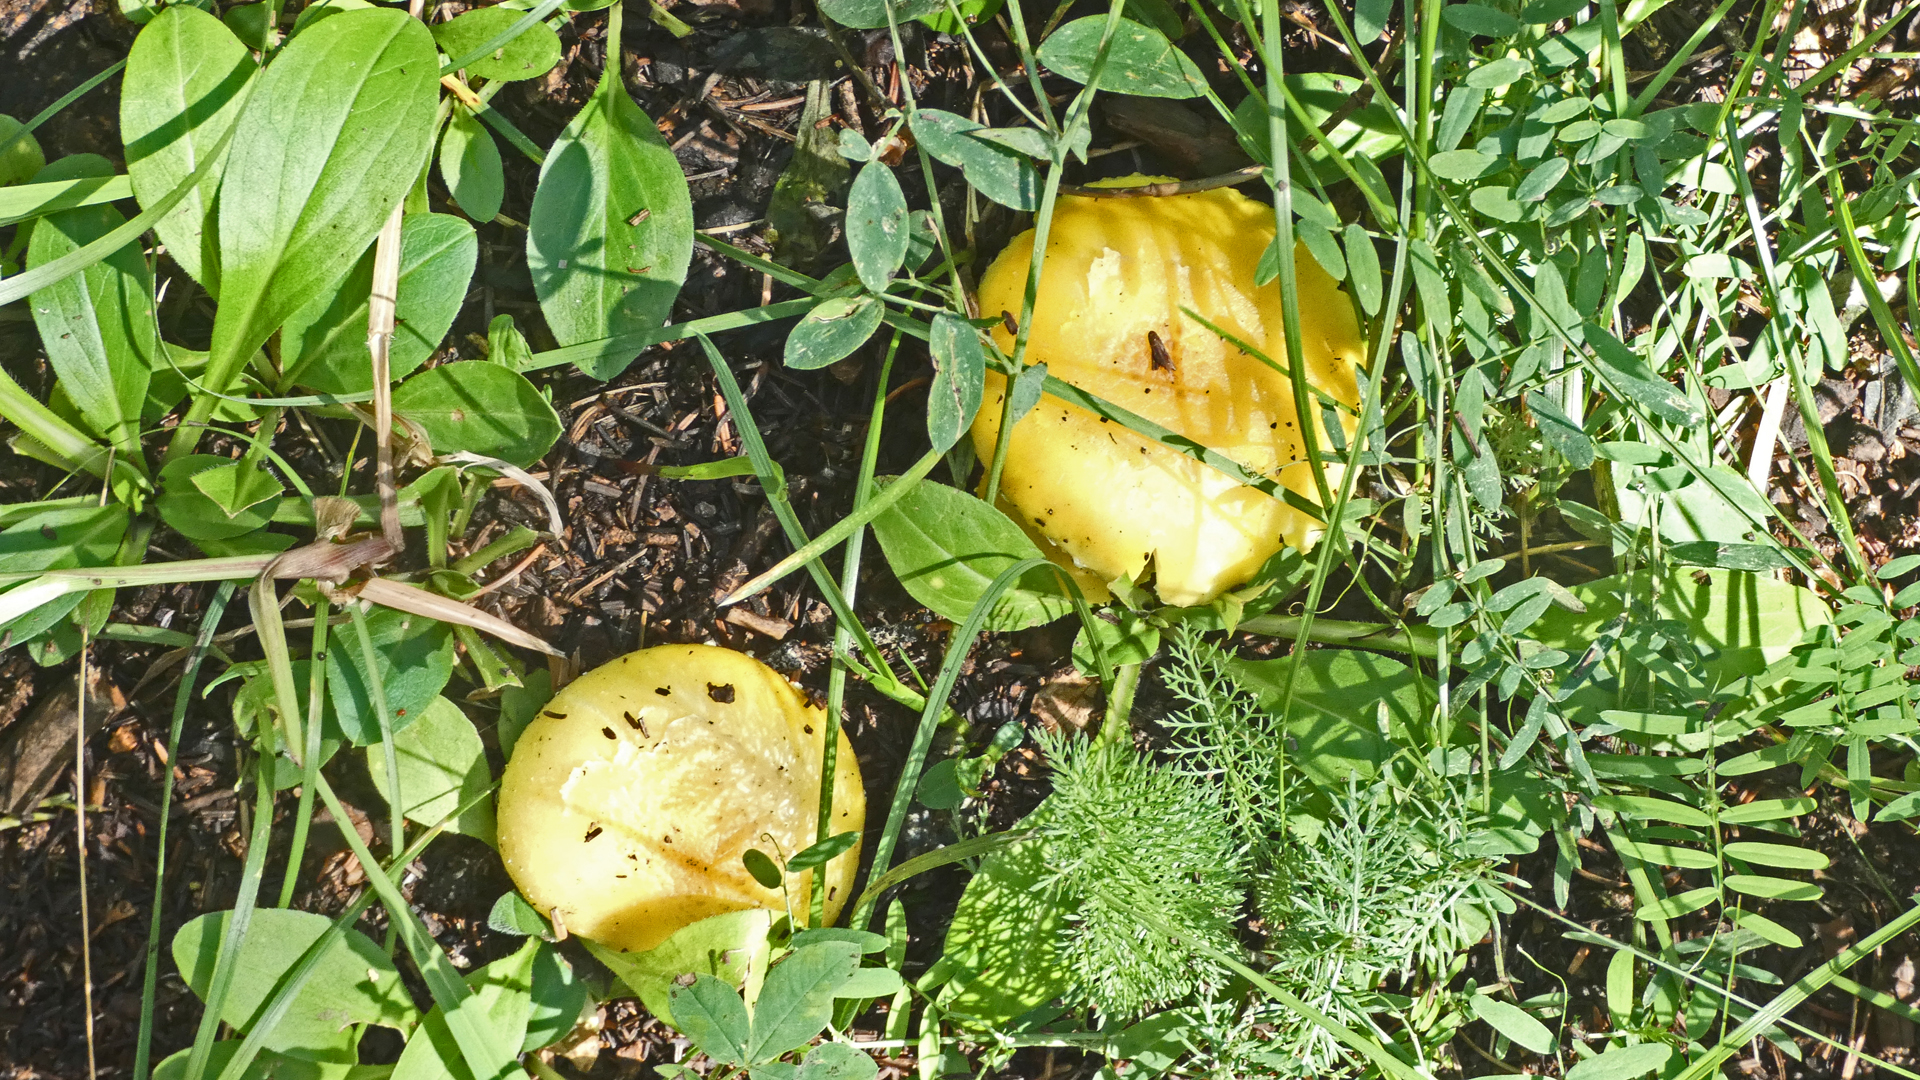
x: 1151, y: 868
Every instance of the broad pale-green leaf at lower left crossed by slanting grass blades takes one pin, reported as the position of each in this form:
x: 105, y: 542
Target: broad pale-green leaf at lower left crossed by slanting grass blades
x: 356, y: 981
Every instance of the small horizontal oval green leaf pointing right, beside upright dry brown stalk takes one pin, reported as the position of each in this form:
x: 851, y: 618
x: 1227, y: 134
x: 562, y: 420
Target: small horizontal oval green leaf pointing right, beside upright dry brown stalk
x: 483, y: 408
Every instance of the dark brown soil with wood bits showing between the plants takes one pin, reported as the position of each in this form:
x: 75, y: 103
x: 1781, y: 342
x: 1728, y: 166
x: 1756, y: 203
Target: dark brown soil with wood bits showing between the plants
x: 644, y: 562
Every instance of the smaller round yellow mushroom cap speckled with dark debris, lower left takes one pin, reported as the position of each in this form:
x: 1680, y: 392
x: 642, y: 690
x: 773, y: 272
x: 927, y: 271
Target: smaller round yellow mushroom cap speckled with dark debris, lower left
x: 629, y: 802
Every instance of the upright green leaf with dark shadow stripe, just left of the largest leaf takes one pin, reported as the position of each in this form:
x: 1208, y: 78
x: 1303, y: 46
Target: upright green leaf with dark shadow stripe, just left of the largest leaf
x: 180, y: 95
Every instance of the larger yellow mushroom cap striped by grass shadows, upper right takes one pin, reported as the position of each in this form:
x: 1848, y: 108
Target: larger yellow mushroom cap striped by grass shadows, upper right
x: 1113, y: 501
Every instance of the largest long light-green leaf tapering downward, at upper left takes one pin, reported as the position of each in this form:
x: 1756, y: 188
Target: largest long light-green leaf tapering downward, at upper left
x: 333, y: 137
